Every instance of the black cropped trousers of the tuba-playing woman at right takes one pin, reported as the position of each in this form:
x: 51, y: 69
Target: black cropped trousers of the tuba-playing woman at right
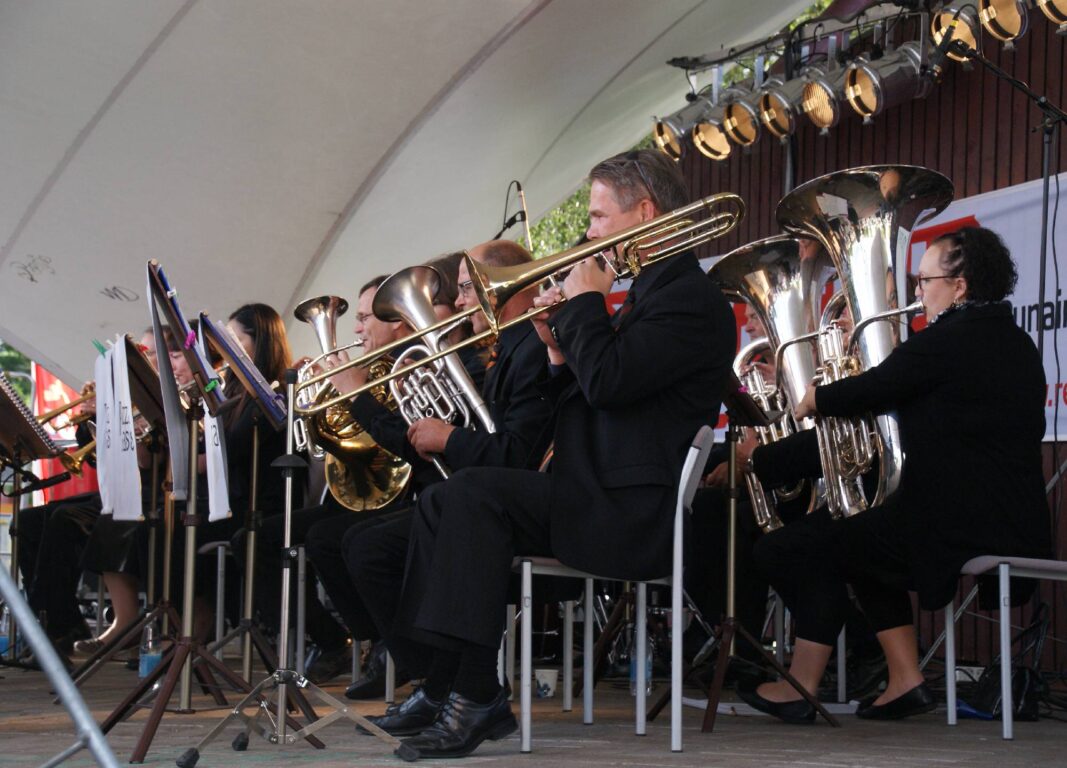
x: 811, y: 562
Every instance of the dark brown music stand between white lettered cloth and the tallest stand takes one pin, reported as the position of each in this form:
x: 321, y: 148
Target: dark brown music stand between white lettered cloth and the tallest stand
x: 148, y: 398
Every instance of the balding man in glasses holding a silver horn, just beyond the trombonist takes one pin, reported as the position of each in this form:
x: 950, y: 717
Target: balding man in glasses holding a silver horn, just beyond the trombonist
x: 376, y: 551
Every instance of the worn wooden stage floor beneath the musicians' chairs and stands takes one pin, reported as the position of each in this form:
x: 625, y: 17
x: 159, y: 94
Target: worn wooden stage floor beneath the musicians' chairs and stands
x: 33, y: 730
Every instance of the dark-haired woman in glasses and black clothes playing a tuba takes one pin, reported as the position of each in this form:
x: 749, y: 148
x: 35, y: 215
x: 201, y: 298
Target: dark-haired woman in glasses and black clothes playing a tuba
x: 969, y: 391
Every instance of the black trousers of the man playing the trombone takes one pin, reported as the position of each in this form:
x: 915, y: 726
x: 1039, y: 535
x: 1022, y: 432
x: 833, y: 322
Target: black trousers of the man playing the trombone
x: 465, y: 535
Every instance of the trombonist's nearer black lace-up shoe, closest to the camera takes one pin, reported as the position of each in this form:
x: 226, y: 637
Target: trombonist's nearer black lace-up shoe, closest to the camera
x: 461, y: 726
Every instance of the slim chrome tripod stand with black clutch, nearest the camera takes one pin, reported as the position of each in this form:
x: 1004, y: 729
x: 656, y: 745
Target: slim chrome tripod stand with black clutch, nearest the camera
x: 284, y: 680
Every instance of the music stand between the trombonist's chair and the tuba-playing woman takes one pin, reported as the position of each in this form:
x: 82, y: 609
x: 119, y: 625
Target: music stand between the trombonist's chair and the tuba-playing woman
x: 743, y: 412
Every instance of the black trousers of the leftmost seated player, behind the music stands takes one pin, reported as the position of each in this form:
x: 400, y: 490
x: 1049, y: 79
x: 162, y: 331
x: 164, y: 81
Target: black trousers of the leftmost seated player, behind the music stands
x: 52, y: 541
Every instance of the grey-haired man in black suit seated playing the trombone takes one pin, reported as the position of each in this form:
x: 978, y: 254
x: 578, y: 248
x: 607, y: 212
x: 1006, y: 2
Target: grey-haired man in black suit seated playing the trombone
x: 630, y: 392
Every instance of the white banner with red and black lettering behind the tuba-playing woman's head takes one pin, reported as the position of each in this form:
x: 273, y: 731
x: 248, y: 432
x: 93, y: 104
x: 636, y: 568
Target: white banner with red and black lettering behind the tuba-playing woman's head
x: 1015, y: 214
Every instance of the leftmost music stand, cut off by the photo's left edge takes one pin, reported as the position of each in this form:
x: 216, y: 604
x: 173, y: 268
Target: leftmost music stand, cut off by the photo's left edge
x: 22, y: 441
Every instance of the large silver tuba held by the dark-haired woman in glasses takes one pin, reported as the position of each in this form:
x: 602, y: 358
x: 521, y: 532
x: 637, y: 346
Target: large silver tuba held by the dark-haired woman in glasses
x: 864, y: 217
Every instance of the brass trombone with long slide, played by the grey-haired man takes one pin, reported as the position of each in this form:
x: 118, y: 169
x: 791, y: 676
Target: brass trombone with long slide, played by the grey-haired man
x: 626, y: 253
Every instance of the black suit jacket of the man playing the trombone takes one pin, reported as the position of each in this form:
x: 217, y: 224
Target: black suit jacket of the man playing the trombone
x: 629, y: 407
